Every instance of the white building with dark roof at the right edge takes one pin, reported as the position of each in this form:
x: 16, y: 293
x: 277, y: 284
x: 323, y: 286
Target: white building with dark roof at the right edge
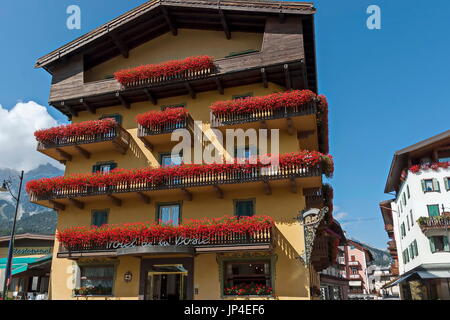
x: 419, y: 177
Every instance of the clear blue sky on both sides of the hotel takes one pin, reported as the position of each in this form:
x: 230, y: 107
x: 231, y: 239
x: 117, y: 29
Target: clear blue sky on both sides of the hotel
x: 387, y: 88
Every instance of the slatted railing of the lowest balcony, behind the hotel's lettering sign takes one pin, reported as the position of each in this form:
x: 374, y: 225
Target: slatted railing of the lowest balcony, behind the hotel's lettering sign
x: 261, y: 237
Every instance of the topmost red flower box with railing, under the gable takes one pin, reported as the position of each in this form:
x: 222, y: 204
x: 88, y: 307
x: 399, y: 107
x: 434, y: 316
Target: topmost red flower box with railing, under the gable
x: 168, y: 70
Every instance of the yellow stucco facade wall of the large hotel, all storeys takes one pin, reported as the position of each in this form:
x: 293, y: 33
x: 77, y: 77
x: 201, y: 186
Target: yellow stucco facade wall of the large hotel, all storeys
x: 291, y: 278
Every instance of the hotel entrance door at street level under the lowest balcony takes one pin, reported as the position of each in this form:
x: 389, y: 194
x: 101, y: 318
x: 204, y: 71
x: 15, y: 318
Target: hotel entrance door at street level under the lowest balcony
x: 168, y: 284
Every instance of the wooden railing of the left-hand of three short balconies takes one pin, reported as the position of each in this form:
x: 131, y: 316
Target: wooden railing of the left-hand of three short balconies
x: 118, y: 135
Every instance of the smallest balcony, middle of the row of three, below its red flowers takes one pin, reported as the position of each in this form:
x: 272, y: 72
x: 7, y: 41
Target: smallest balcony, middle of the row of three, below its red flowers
x: 160, y: 135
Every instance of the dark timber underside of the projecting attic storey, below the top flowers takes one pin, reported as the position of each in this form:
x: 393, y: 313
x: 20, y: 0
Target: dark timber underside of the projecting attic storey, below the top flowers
x: 288, y: 74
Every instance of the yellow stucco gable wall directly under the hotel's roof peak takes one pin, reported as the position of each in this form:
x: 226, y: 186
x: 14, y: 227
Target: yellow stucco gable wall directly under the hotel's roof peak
x: 187, y: 43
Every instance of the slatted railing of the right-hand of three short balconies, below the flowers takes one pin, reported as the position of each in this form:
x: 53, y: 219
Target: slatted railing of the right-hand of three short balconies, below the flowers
x: 262, y: 115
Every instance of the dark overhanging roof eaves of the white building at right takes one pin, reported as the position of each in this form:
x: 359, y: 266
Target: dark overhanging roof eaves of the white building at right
x: 400, y: 160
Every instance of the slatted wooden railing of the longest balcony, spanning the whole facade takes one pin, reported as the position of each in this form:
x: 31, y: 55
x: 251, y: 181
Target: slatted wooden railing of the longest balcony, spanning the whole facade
x: 181, y: 182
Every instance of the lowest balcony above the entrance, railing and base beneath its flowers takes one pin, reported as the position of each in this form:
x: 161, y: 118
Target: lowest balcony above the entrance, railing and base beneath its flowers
x: 255, y: 241
